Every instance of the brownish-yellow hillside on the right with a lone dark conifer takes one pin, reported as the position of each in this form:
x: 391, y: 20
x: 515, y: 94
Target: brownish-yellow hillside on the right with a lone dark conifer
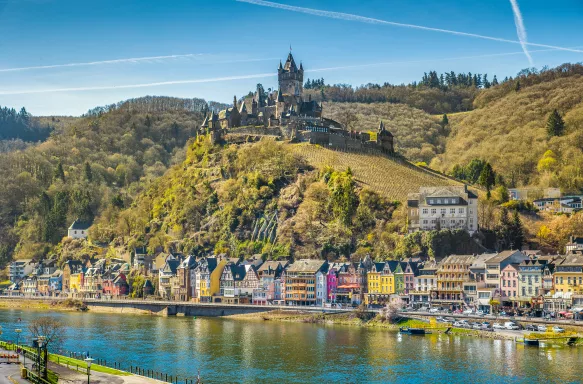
x: 530, y: 130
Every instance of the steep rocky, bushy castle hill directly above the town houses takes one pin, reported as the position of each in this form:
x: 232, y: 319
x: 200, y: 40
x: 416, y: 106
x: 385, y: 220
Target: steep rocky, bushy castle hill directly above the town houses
x: 266, y: 198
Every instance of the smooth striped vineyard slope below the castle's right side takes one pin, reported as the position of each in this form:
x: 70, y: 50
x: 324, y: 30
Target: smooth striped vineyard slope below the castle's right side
x: 390, y: 178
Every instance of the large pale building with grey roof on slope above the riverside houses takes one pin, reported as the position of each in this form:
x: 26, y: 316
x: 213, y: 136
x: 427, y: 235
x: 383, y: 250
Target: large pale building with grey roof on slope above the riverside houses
x: 451, y: 207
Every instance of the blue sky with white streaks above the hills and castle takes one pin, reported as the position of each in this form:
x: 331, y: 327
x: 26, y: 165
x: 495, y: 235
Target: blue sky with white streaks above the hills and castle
x: 64, y: 57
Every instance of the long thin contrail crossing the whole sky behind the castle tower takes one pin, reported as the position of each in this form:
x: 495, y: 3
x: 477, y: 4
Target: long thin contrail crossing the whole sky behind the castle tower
x: 256, y: 76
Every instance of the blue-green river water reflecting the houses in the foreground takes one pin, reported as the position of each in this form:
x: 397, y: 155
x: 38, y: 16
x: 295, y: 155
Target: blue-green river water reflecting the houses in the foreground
x: 238, y: 351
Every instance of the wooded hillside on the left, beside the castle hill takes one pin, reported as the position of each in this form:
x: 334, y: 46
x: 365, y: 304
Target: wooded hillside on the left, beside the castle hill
x: 90, y: 167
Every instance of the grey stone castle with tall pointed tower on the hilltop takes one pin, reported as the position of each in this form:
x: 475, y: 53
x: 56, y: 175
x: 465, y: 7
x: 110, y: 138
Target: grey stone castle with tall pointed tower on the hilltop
x: 286, y: 110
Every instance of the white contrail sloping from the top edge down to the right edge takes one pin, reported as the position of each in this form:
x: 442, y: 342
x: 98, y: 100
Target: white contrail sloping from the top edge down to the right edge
x: 369, y: 20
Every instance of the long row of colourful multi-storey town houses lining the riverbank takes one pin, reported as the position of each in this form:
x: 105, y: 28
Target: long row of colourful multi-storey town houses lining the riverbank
x: 516, y: 281
